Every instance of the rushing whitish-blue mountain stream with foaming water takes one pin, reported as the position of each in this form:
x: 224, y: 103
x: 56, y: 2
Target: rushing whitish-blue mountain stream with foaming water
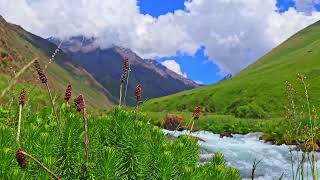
x: 241, y: 151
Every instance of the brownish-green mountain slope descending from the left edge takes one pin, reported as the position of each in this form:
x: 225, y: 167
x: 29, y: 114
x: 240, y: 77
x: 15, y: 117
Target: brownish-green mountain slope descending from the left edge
x: 18, y: 47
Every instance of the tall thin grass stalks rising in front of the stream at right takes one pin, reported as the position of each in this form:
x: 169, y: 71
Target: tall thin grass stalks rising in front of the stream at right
x: 303, y: 129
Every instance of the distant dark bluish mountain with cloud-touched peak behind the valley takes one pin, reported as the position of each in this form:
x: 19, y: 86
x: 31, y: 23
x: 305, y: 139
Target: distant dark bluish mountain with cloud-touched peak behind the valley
x: 105, y: 65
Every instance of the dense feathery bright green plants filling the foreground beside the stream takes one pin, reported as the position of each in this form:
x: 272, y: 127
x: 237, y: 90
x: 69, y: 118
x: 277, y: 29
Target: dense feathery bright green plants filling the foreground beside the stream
x: 122, y: 146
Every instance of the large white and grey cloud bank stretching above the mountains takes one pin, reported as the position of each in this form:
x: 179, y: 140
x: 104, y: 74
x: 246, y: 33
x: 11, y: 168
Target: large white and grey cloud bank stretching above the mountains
x: 233, y: 32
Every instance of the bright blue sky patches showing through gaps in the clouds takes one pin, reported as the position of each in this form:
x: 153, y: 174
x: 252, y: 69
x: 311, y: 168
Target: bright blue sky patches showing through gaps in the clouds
x: 197, y: 67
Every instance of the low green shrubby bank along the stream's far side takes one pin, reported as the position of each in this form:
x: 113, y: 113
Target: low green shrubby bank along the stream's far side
x: 273, y: 130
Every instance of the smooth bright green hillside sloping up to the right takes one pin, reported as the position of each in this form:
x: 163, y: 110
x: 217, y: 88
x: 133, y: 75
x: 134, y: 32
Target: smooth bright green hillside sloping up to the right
x: 260, y: 88
